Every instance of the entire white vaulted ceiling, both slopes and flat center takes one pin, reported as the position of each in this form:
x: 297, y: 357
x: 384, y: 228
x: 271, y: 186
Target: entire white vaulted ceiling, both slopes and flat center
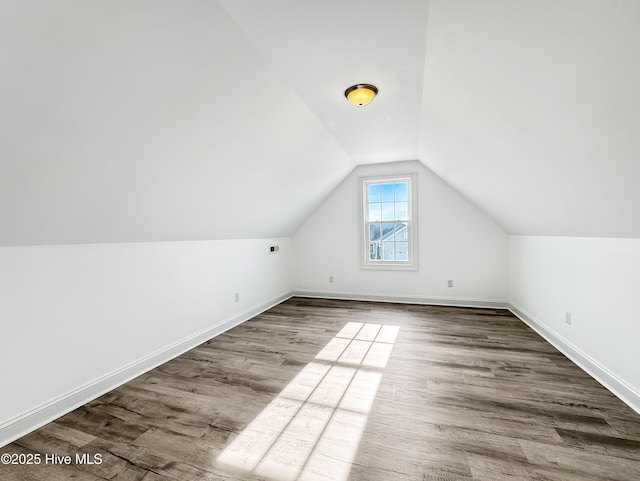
x: 162, y: 120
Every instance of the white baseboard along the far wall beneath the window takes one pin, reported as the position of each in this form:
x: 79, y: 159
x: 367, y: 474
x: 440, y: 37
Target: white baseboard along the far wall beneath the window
x: 379, y: 297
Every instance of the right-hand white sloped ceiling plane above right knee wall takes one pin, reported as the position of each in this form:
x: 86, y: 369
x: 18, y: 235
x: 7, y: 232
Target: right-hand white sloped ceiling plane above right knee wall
x: 532, y: 110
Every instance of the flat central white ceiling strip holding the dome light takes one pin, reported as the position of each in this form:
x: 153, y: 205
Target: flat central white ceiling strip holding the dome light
x: 323, y: 47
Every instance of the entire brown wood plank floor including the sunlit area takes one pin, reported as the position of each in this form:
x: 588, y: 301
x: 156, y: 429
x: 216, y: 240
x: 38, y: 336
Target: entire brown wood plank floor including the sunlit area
x: 403, y: 392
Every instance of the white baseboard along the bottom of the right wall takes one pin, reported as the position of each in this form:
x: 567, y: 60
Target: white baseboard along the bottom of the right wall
x: 609, y: 380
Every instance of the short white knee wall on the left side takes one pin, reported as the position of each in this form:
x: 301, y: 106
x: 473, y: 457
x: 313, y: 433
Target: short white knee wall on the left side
x: 72, y: 314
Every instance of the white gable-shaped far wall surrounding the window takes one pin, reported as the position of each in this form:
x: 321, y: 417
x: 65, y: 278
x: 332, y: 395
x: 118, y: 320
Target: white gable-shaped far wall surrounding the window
x: 457, y: 241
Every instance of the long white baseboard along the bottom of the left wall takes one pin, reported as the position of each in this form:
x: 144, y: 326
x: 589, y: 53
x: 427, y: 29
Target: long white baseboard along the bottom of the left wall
x: 24, y: 423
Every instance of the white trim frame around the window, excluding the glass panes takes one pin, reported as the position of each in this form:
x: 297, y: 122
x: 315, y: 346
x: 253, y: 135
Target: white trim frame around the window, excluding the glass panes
x: 412, y: 263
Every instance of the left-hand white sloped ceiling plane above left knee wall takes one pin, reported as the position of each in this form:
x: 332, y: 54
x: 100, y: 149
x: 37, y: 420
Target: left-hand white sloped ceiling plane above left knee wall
x: 150, y: 121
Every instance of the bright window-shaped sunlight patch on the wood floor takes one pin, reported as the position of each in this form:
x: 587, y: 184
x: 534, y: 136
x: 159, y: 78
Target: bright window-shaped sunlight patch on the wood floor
x: 312, y: 429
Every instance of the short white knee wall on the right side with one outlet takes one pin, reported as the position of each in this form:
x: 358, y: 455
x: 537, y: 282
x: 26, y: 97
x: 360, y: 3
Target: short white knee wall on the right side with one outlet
x: 598, y: 281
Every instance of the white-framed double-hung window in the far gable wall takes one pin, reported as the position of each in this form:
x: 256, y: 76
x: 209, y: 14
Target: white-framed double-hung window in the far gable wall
x: 389, y: 237
